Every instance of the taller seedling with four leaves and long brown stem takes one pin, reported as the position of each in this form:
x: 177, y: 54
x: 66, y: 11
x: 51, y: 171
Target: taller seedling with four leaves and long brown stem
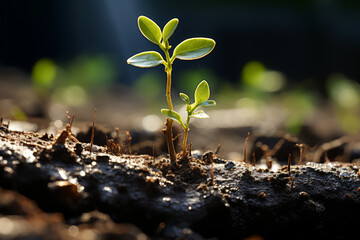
x: 189, y: 49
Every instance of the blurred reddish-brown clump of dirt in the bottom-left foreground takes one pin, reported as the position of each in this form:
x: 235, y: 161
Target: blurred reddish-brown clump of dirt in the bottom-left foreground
x: 20, y: 218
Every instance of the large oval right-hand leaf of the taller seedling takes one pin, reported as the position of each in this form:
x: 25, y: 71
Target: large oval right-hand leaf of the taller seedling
x: 194, y: 48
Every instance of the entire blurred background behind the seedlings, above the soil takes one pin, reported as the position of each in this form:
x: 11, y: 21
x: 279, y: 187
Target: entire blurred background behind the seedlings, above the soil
x: 288, y: 66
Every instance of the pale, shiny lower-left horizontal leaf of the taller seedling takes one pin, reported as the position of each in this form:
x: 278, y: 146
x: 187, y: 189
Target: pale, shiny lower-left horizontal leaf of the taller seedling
x: 146, y: 59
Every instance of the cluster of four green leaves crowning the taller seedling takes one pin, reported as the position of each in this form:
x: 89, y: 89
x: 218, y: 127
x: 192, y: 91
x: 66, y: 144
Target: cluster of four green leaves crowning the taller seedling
x: 190, y: 49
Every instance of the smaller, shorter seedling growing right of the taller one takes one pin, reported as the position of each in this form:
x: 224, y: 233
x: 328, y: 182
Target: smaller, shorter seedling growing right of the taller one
x: 202, y: 94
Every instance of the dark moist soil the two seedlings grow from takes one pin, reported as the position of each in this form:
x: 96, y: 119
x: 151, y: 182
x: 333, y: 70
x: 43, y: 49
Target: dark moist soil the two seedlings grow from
x: 58, y: 187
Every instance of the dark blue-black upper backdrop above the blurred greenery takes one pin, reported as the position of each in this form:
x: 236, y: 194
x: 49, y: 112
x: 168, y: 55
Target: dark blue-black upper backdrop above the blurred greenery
x: 303, y: 39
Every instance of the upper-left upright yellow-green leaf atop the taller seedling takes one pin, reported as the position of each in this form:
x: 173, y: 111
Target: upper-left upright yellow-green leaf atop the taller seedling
x: 149, y: 29
